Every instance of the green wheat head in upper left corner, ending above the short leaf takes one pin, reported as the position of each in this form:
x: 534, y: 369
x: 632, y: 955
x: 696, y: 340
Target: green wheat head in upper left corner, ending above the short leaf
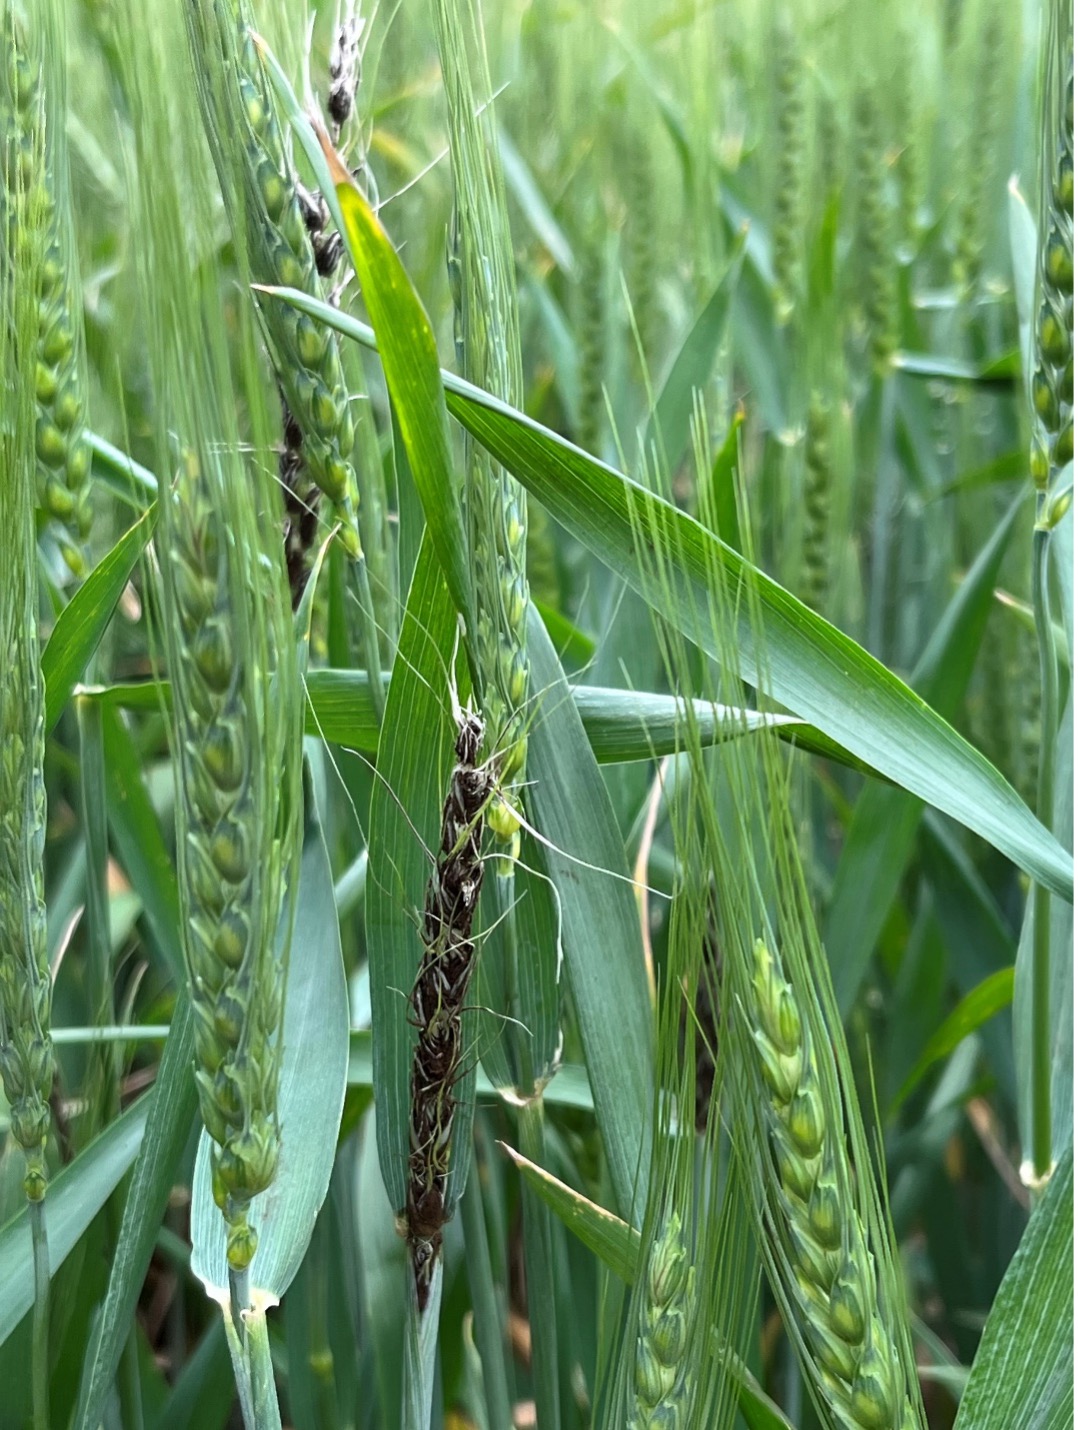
x: 36, y: 208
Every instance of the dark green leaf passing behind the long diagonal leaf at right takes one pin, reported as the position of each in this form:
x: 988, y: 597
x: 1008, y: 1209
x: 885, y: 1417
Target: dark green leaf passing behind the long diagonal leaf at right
x: 884, y: 827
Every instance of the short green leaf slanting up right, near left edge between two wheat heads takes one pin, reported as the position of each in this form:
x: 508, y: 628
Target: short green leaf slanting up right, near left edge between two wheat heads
x: 81, y: 626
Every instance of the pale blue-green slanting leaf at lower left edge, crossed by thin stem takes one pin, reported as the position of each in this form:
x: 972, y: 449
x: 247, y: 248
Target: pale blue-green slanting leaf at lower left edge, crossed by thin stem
x: 76, y: 1195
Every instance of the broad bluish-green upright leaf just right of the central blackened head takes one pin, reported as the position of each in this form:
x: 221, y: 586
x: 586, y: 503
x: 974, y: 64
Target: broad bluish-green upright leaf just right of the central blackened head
x: 604, y: 959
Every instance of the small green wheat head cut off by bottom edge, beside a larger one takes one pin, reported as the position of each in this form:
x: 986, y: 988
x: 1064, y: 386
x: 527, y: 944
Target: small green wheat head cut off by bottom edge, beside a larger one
x: 660, y: 1382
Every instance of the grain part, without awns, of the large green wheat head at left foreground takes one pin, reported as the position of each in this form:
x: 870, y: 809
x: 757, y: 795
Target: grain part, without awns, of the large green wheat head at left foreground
x: 237, y: 730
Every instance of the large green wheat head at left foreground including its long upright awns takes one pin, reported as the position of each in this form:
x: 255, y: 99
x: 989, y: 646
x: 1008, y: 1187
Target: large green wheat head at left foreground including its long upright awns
x: 229, y: 650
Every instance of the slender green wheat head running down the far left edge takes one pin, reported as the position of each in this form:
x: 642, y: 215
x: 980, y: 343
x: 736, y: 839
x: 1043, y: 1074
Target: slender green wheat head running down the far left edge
x: 26, y: 1057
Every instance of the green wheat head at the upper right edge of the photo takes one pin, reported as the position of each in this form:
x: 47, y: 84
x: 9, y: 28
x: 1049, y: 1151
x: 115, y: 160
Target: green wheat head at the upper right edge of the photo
x: 1053, y: 378
